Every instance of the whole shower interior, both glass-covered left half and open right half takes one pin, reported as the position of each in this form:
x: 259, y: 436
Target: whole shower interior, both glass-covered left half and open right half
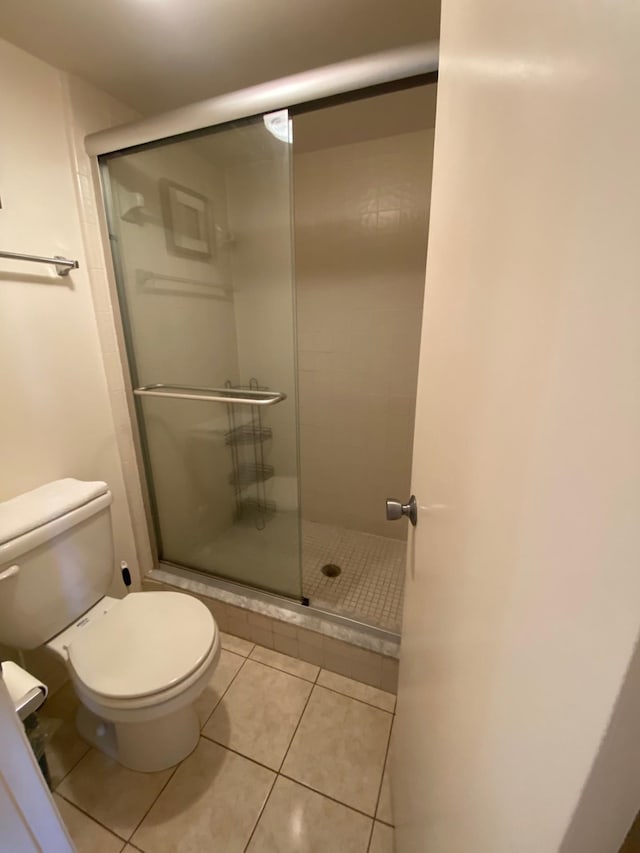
x: 274, y: 389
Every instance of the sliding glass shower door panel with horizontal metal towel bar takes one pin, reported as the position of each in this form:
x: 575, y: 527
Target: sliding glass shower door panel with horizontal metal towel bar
x: 200, y: 229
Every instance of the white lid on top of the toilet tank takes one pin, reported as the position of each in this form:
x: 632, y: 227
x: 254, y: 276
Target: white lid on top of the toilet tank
x: 33, y: 509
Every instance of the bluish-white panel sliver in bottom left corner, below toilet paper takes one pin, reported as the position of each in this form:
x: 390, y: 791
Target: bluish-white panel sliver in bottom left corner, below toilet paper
x: 29, y: 820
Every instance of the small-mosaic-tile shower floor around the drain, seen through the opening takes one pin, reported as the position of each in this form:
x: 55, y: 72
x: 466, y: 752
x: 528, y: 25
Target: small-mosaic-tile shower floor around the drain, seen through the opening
x: 370, y: 586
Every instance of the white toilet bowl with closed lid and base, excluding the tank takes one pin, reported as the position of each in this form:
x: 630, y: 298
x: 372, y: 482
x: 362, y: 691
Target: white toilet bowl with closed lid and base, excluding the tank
x: 137, y: 666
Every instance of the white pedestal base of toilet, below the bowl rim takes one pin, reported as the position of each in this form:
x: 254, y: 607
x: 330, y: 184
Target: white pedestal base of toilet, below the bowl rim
x: 147, y: 746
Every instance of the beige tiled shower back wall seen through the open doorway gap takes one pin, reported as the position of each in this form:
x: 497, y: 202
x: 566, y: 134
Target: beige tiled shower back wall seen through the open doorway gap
x: 361, y: 217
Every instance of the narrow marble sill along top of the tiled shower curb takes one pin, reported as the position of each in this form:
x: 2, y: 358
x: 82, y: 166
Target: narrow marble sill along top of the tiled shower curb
x: 280, y: 609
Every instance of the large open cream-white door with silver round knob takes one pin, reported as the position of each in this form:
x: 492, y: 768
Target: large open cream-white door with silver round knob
x: 523, y: 596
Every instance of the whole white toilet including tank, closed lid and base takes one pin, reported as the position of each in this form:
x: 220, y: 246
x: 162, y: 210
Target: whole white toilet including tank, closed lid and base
x: 138, y: 664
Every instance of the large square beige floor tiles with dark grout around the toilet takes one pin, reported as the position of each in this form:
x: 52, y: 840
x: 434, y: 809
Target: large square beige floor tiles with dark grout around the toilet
x: 291, y: 758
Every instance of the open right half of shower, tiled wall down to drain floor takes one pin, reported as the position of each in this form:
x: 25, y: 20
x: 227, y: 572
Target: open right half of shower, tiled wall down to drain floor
x: 361, y: 199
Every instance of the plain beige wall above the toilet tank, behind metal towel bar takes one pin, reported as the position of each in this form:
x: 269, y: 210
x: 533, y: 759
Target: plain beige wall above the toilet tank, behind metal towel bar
x: 57, y: 419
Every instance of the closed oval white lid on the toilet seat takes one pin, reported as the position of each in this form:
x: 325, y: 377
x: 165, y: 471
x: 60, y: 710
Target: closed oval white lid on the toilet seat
x: 145, y: 644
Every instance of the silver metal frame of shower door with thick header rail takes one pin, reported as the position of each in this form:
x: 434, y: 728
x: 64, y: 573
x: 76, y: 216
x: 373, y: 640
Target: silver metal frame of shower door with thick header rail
x: 338, y: 83
